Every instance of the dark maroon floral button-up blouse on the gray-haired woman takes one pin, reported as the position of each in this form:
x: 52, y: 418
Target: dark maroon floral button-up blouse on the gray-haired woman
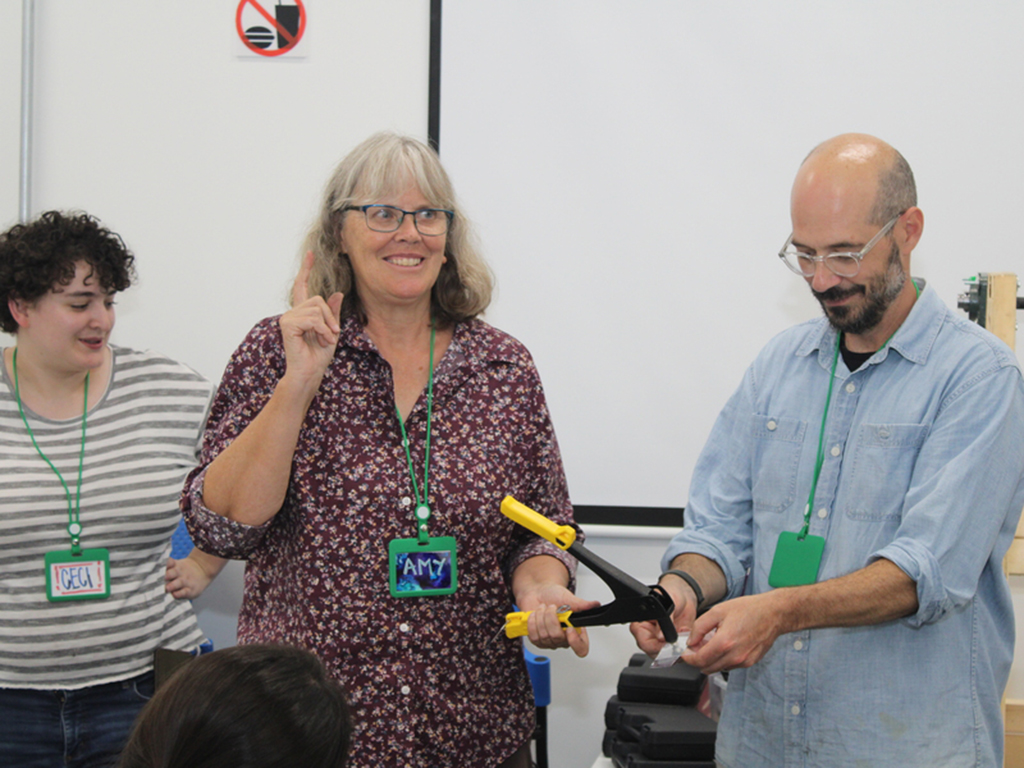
x: 433, y: 680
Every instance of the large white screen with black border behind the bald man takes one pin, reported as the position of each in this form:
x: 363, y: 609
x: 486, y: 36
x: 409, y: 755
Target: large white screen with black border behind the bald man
x: 629, y: 167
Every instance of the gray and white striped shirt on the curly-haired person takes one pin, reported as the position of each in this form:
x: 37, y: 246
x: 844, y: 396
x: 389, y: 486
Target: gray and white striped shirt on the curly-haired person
x: 142, y: 441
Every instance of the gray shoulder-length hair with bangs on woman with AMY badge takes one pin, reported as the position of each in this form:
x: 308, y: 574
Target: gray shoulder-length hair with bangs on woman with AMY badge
x: 382, y: 165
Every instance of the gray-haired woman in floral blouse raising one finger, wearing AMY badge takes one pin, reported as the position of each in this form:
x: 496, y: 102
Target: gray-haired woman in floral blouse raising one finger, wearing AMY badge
x: 357, y: 456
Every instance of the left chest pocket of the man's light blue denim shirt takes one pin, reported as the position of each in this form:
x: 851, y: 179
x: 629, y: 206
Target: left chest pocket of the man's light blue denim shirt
x: 778, y: 445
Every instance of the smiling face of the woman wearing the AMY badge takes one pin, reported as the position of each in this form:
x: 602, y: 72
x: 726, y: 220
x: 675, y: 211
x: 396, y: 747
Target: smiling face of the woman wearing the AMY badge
x: 397, y: 270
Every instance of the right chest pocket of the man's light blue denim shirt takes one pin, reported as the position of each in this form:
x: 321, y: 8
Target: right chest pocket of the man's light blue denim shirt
x: 884, y: 458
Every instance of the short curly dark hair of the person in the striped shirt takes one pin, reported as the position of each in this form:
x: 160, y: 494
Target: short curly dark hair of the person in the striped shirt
x: 41, y: 255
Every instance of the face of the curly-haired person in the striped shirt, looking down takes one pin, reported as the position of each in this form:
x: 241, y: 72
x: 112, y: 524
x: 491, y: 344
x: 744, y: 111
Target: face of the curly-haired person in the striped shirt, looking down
x: 68, y: 327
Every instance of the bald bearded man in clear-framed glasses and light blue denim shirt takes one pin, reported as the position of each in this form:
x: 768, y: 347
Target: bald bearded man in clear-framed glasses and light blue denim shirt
x: 849, y: 515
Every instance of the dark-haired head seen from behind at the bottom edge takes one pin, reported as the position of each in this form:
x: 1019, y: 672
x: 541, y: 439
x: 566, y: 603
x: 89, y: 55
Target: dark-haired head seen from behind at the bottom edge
x: 246, y: 707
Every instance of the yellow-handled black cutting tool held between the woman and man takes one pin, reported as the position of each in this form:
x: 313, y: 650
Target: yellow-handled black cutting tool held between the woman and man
x: 634, y: 602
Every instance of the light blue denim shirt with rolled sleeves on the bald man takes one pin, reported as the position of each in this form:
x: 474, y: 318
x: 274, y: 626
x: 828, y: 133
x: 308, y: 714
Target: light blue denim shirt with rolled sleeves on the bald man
x: 924, y: 466
